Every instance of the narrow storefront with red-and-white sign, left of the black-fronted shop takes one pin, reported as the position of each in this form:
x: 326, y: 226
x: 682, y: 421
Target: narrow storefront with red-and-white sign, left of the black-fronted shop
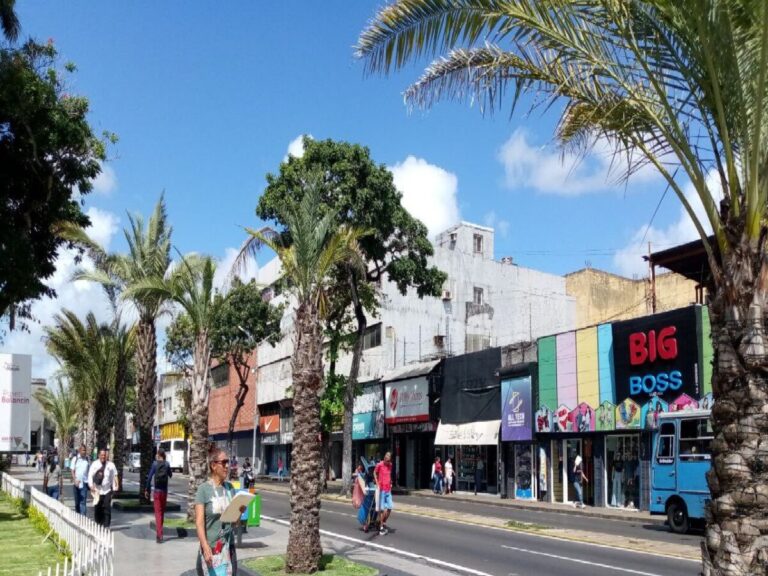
x: 409, y: 415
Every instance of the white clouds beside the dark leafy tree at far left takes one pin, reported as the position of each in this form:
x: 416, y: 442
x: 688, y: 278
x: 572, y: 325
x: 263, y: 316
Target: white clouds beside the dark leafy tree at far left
x: 81, y: 297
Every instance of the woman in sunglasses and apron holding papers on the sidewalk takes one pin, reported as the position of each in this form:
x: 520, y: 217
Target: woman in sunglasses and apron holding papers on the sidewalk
x: 213, y: 497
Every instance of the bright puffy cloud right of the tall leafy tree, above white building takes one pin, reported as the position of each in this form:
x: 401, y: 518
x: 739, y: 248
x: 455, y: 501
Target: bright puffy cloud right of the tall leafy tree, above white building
x: 429, y: 193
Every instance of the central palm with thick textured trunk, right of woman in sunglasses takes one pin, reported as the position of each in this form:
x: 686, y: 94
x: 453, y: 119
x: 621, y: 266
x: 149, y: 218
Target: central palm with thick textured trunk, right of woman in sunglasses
x: 317, y: 247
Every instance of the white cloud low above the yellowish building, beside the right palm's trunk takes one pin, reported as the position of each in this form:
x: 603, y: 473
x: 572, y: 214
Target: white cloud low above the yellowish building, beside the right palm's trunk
x: 629, y: 262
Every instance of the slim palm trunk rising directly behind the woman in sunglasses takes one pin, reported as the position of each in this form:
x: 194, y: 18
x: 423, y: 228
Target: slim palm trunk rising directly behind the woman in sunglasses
x: 198, y: 465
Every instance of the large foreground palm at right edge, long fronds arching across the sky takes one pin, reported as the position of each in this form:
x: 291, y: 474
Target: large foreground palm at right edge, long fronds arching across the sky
x: 677, y: 85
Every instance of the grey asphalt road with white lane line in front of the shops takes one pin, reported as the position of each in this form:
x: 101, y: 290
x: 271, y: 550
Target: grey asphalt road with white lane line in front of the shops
x: 483, y: 551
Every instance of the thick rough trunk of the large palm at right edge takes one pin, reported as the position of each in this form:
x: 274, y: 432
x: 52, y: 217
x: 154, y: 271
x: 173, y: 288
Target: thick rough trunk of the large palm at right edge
x: 736, y: 541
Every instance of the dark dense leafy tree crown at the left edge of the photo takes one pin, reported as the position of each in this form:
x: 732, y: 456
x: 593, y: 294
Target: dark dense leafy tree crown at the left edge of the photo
x: 49, y: 157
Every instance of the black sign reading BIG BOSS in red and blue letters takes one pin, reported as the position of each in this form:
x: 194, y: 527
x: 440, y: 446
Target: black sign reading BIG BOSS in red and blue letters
x: 657, y: 356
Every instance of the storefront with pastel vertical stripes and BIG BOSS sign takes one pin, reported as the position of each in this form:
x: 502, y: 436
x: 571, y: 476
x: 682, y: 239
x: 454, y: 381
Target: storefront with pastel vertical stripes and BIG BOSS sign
x: 599, y: 394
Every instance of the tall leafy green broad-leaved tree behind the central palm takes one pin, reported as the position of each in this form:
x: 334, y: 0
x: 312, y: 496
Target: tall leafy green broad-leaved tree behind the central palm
x: 359, y: 193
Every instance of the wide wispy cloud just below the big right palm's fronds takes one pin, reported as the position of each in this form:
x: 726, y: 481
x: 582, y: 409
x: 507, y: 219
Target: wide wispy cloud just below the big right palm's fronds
x: 548, y: 171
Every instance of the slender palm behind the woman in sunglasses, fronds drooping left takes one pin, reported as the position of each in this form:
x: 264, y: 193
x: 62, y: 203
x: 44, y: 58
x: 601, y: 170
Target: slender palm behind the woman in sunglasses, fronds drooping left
x: 190, y: 285
